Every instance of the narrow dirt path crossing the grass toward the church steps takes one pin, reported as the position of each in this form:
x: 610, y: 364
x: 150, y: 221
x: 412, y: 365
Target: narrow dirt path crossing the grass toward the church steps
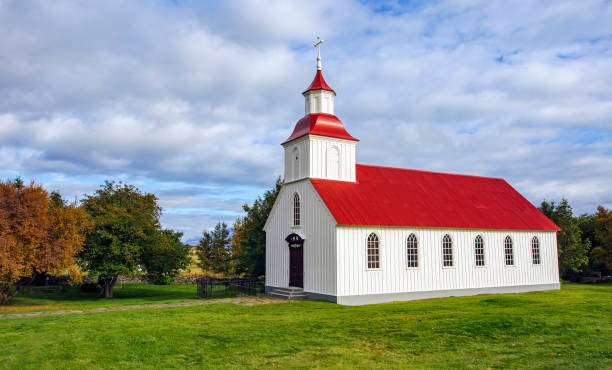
x: 245, y: 301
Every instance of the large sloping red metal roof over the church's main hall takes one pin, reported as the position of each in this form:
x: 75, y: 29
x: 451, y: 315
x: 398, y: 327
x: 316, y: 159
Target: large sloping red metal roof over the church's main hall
x: 385, y: 196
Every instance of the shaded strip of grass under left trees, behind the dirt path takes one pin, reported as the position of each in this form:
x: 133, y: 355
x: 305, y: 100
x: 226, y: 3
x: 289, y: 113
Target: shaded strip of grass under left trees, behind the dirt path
x: 125, y: 294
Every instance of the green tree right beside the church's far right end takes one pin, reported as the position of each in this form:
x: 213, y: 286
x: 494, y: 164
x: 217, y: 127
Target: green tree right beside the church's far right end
x: 573, y: 251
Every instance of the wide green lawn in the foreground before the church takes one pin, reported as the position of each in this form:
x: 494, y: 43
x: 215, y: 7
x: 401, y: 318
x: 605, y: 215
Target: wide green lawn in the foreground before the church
x: 571, y: 328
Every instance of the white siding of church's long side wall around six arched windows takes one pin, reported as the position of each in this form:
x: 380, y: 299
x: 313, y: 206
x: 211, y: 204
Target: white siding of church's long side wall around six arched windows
x: 394, y: 277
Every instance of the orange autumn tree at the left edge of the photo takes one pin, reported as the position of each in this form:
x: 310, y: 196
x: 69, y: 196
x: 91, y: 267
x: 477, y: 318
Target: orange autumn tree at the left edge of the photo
x: 38, y: 235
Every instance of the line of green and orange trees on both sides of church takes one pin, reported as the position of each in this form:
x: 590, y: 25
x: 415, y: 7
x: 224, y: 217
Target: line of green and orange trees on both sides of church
x: 116, y: 231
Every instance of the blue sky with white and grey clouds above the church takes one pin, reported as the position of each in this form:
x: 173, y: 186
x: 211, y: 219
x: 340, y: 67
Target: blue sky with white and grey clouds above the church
x: 190, y: 100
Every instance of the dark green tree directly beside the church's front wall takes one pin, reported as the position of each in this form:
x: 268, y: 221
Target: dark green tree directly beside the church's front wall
x: 249, y: 239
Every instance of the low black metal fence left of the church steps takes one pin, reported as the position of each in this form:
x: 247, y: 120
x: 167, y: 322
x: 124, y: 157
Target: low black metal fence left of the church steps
x: 209, y: 287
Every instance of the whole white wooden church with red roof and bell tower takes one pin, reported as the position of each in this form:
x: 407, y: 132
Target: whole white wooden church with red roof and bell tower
x: 358, y: 234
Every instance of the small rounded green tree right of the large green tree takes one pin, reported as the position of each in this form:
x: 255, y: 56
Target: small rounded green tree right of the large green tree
x: 165, y: 256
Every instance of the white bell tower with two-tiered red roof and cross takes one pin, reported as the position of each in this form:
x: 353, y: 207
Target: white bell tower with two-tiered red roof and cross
x: 319, y: 147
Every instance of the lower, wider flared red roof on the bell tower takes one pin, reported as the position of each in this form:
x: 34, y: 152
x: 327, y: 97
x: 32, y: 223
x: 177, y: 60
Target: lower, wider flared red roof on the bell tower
x: 322, y: 124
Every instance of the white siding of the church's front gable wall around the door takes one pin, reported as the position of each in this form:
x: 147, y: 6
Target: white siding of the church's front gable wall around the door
x: 319, y: 230
